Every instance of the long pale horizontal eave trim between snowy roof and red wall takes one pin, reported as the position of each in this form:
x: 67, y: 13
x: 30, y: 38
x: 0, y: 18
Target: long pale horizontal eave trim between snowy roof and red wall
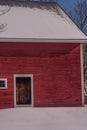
x: 35, y: 40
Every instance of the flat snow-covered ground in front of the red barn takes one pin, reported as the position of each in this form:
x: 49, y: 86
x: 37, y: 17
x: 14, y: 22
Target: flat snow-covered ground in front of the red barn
x: 43, y: 119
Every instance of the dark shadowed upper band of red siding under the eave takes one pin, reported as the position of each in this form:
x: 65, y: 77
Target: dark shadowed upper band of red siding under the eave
x: 34, y: 49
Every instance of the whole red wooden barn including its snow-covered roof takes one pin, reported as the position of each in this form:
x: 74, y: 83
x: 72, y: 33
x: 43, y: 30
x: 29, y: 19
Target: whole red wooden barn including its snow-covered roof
x: 40, y: 57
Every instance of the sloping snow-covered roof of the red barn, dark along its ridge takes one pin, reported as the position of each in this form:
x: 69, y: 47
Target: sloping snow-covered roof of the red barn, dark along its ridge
x: 42, y: 21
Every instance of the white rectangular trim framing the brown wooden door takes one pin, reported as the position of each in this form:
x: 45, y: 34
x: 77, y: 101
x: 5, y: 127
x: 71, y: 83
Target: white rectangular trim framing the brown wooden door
x: 32, y: 95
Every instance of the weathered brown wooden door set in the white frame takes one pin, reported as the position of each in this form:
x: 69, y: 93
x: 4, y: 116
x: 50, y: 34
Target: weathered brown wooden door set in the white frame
x: 23, y: 90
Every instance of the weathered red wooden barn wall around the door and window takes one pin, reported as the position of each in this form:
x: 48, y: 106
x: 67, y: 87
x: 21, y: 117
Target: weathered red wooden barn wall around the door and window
x: 55, y: 67
